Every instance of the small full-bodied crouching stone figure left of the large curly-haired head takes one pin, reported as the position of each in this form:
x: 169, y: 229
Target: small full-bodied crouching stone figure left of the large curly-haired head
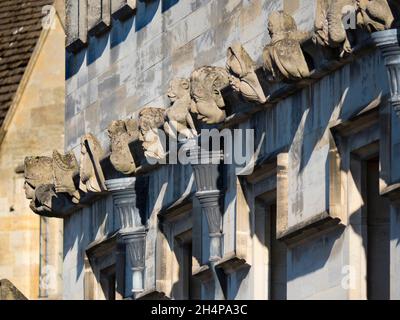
x: 179, y: 120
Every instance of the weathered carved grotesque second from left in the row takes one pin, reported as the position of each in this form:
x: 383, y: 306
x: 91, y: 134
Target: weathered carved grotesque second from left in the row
x: 65, y: 167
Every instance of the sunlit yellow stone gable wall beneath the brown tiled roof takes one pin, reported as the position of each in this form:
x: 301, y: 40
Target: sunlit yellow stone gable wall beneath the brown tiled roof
x: 35, y: 127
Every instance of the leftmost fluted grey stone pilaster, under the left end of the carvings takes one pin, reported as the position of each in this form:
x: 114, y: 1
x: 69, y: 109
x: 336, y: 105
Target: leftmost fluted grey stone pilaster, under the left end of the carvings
x: 132, y: 232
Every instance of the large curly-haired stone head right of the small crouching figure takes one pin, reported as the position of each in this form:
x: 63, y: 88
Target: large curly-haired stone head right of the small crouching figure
x: 206, y: 85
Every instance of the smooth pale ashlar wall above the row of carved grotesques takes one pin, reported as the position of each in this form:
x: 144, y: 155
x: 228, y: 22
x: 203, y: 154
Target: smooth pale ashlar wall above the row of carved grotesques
x: 130, y: 67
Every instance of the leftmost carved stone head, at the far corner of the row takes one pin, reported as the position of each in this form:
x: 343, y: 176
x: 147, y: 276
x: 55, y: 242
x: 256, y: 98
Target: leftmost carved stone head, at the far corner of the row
x: 37, y: 171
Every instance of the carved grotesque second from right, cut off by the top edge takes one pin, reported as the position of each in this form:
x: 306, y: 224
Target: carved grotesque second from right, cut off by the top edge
x: 330, y: 30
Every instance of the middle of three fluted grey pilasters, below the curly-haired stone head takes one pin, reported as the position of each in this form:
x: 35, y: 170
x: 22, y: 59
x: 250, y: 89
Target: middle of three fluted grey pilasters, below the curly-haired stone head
x: 205, y: 167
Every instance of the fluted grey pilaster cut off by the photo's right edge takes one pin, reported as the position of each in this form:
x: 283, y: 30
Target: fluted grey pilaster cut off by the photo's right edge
x: 388, y: 41
